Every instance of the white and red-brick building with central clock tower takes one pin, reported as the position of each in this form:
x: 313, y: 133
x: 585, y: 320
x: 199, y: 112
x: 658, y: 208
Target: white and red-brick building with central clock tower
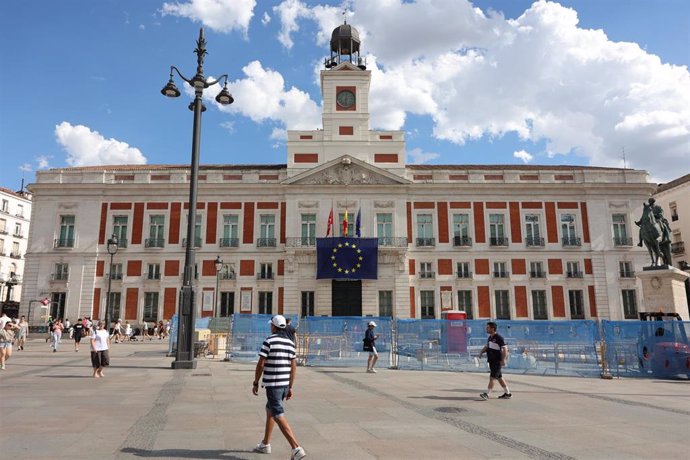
x: 498, y: 241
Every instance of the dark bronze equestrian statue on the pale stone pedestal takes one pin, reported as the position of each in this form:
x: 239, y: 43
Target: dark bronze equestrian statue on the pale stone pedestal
x: 655, y: 233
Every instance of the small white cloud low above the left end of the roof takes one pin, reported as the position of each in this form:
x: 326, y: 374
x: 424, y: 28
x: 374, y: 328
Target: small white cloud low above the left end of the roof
x: 87, y: 148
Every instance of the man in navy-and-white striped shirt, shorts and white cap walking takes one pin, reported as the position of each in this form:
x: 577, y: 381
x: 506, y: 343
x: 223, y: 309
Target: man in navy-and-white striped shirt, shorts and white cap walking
x: 278, y: 366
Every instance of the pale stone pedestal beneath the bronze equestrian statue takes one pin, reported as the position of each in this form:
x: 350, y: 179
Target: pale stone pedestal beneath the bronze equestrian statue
x: 663, y: 289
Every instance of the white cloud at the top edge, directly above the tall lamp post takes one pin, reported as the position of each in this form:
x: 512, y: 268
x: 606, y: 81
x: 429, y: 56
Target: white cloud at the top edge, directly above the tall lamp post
x: 220, y: 15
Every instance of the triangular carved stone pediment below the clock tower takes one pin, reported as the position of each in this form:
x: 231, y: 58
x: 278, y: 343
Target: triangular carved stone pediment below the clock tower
x: 346, y: 170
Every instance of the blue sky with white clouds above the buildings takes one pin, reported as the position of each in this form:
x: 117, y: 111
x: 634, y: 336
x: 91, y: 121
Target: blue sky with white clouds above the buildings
x: 488, y: 82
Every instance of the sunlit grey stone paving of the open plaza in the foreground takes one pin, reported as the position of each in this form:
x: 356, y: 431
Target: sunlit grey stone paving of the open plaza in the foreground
x: 52, y: 408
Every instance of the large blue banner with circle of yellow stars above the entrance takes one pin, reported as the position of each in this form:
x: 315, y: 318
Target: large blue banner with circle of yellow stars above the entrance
x: 347, y: 258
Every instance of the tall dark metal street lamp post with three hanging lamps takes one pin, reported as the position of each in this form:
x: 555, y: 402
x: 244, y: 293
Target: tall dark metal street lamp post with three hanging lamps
x: 184, y: 356
